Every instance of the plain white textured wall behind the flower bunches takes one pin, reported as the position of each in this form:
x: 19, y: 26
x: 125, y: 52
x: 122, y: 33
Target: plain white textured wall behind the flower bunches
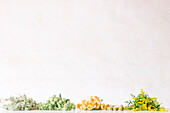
x: 109, y: 48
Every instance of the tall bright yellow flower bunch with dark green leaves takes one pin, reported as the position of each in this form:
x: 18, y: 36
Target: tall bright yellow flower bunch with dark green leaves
x: 144, y: 102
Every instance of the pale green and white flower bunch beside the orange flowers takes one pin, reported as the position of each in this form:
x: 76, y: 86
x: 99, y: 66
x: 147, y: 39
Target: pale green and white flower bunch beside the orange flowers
x: 57, y: 103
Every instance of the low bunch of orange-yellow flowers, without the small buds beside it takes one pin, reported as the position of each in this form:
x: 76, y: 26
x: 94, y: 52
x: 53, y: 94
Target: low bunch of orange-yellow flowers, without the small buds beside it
x: 93, y: 104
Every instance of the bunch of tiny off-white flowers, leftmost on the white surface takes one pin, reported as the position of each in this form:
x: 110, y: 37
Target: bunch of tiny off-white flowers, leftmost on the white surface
x: 20, y: 103
